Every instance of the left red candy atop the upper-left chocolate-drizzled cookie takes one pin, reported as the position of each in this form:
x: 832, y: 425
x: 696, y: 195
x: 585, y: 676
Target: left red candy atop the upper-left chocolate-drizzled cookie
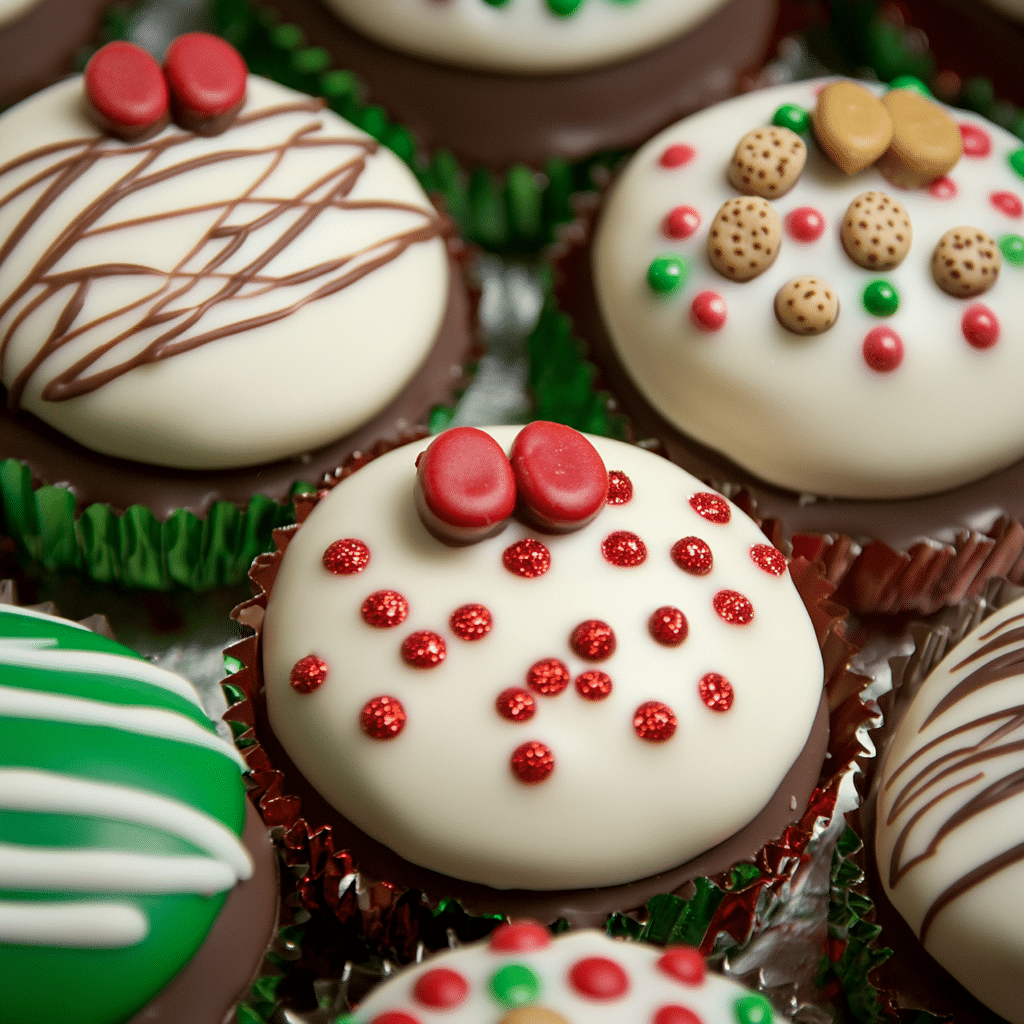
x: 126, y: 93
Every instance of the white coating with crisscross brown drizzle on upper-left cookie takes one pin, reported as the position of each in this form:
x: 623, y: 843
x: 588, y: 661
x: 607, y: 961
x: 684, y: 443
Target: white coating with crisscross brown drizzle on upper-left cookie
x: 211, y: 303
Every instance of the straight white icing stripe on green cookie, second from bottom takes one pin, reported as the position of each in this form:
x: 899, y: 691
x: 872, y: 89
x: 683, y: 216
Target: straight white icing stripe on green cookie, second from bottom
x: 40, y: 869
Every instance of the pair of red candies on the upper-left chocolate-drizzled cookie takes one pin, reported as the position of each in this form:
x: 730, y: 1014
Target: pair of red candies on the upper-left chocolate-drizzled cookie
x: 202, y: 84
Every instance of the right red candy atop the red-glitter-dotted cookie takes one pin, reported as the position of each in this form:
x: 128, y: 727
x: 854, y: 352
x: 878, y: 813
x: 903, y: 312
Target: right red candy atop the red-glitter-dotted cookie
x: 561, y: 479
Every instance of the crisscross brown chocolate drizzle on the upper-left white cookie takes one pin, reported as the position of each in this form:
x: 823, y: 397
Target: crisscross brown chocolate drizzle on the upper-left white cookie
x: 168, y: 307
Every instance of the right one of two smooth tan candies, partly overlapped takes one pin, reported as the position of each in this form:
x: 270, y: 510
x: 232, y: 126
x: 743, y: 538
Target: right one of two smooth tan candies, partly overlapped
x: 926, y: 145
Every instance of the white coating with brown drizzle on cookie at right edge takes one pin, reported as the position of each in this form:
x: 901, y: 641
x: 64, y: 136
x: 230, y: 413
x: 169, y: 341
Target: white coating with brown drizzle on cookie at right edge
x: 950, y: 773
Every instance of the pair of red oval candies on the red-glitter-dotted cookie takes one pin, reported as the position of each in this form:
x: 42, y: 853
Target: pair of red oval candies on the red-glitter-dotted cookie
x: 467, y: 489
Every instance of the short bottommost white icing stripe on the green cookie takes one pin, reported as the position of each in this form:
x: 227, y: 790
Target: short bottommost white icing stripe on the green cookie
x: 79, y: 926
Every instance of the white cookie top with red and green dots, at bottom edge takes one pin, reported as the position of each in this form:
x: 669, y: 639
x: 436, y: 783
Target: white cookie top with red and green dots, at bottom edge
x: 523, y: 976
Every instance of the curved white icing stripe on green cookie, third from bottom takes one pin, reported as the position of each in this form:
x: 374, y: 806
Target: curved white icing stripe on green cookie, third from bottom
x: 49, y: 793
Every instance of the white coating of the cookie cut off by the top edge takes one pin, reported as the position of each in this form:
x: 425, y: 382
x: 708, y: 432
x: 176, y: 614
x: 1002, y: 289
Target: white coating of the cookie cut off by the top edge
x: 525, y: 36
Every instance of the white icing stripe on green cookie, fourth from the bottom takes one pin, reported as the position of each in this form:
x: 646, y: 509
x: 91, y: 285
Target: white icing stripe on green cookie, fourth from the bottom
x: 17, y: 703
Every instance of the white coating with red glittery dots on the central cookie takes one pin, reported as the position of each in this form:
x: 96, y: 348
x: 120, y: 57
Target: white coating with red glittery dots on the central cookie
x: 644, y: 753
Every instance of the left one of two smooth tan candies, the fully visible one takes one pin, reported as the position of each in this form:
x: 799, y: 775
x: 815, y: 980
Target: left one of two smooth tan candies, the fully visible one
x: 852, y: 126
